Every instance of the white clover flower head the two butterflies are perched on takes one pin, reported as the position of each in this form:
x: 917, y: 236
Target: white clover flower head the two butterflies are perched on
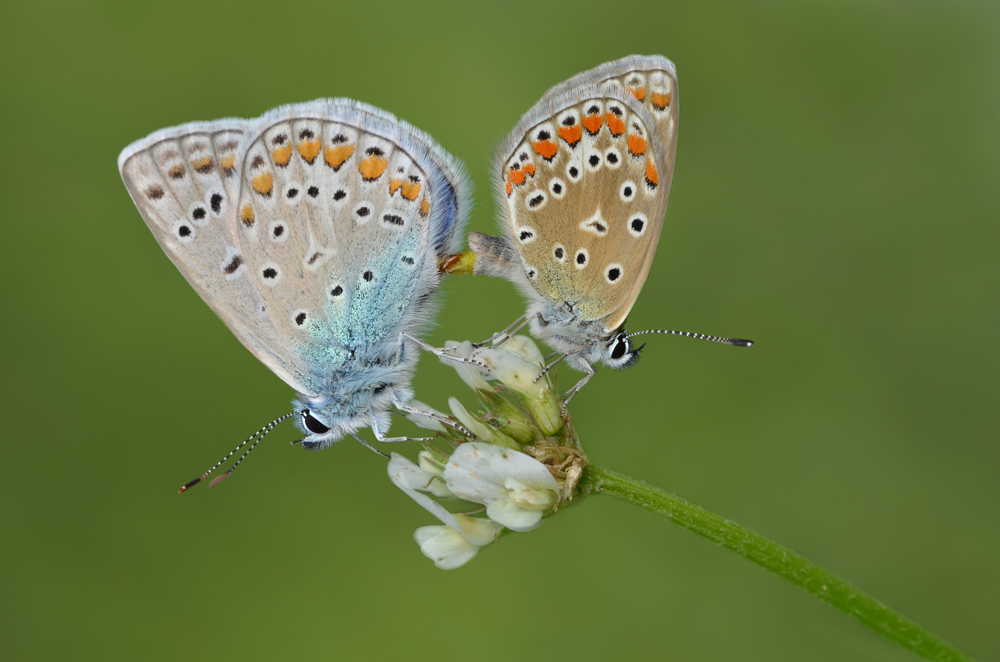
x: 522, y: 463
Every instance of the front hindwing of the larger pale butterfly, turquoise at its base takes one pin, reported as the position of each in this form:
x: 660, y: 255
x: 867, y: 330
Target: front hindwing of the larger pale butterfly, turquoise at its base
x: 334, y: 226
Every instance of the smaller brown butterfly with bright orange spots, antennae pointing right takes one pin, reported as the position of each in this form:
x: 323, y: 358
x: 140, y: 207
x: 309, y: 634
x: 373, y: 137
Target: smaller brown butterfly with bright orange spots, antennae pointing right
x: 583, y: 181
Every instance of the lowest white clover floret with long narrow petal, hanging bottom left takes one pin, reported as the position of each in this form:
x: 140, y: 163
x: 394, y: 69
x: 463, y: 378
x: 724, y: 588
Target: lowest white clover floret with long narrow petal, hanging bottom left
x: 458, y: 541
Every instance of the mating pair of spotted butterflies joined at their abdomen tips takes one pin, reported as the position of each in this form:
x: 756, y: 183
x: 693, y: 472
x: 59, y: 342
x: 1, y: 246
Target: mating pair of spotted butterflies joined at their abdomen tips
x: 316, y: 232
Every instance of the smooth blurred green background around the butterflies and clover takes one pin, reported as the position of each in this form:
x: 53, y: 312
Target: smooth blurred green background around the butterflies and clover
x: 835, y: 199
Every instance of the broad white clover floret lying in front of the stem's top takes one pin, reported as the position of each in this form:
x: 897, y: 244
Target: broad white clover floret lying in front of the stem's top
x: 516, y: 489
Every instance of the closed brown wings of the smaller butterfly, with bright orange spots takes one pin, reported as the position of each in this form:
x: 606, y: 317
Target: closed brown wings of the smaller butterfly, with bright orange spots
x: 585, y: 178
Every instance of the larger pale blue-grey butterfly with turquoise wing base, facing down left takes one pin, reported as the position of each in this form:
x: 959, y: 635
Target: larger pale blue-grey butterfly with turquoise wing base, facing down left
x: 314, y: 232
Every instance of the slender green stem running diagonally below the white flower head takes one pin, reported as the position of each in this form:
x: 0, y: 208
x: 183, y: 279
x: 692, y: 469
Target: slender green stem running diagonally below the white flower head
x: 779, y: 560
